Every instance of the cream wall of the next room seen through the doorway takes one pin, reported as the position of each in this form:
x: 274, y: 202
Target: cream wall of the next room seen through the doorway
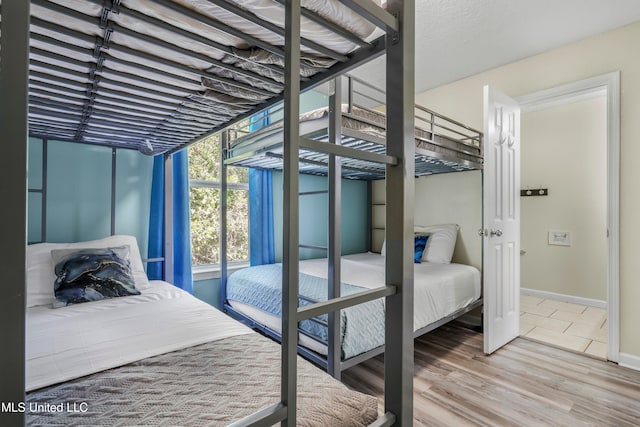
x: 564, y: 149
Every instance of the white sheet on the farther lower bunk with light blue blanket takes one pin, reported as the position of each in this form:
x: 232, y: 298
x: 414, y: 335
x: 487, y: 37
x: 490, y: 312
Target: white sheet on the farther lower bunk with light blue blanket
x: 439, y: 289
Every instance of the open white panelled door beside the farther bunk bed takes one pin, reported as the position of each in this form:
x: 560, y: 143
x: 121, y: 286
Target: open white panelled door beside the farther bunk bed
x: 501, y: 231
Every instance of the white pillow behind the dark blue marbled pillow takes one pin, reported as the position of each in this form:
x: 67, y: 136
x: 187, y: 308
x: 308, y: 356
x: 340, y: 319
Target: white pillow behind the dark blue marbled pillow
x: 40, y: 274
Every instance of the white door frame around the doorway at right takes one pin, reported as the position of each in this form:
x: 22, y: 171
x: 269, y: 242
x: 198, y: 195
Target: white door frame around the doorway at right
x: 608, y: 85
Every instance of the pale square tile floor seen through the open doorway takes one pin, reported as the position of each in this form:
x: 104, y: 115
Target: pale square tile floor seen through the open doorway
x: 575, y: 327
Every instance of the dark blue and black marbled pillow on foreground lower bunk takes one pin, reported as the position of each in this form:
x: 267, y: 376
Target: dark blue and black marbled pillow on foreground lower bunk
x: 92, y: 274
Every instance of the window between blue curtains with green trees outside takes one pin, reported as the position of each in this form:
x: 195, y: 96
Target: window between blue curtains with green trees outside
x: 204, y: 174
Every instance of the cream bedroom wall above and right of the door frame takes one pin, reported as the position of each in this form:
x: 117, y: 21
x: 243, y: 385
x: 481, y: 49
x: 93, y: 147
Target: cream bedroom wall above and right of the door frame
x: 615, y: 50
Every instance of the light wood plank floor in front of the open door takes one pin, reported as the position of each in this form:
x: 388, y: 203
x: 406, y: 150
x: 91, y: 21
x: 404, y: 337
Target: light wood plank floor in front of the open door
x: 522, y: 384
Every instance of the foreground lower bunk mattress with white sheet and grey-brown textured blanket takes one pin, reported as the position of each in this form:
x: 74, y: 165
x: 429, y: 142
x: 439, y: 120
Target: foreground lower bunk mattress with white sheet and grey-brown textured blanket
x: 193, y: 366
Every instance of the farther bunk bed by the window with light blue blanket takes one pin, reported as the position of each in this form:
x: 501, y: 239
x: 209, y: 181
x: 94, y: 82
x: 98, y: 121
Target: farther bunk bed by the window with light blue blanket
x: 442, y: 291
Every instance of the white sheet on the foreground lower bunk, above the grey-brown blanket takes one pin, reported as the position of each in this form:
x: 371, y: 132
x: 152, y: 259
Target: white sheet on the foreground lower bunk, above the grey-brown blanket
x: 81, y: 339
